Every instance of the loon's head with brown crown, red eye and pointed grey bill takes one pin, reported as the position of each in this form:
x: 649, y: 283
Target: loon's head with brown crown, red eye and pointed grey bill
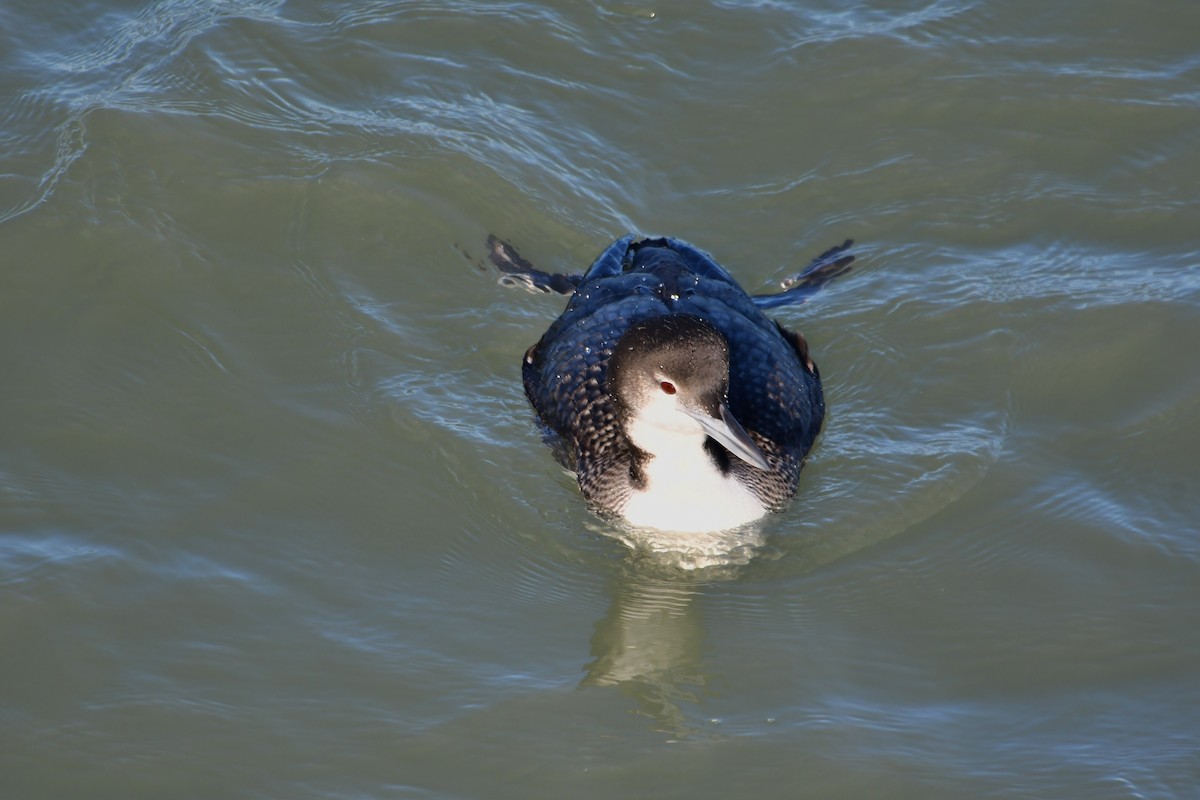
x: 669, y: 377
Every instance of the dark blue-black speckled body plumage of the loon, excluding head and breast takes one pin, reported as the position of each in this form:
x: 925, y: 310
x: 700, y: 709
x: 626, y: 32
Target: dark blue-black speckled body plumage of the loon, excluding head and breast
x: 775, y: 389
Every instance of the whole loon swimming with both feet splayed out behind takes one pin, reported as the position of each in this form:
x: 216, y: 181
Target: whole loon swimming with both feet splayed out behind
x: 675, y: 400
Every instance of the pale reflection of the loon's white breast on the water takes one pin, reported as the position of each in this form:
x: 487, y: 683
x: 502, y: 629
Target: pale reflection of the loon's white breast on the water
x: 650, y: 642
